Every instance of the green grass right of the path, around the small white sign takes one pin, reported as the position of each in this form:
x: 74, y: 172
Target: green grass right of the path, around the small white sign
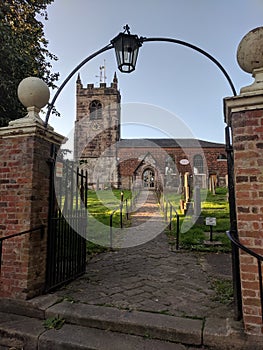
x: 193, y: 238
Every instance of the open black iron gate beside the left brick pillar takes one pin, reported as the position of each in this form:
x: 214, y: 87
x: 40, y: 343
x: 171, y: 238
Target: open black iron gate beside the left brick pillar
x: 66, y: 246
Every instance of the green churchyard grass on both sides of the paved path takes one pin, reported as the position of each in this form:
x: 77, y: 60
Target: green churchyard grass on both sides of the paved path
x: 102, y: 203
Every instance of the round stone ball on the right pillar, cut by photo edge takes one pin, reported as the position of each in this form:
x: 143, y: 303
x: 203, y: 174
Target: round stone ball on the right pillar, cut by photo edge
x: 250, y: 50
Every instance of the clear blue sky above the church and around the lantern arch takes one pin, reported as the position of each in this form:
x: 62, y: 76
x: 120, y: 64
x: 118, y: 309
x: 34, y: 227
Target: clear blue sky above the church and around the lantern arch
x: 175, y: 80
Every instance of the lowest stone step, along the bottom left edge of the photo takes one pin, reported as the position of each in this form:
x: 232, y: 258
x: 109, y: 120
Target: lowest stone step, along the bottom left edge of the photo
x: 20, y: 332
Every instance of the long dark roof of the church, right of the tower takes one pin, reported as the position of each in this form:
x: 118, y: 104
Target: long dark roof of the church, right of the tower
x: 171, y: 143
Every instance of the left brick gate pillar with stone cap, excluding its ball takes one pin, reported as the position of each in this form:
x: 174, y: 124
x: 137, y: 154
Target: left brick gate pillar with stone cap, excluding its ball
x: 24, y: 201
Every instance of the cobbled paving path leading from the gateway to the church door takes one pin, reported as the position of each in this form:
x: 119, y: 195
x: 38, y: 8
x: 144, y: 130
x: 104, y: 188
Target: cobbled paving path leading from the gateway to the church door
x: 151, y: 277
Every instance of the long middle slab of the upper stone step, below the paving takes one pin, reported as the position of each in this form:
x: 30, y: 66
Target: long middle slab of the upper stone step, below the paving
x: 145, y: 324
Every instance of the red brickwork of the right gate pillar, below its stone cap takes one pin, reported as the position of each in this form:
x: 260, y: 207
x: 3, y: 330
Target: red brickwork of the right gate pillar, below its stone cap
x: 248, y: 157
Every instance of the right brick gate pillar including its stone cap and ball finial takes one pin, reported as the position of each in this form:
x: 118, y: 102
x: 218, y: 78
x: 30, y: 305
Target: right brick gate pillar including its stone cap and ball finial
x: 244, y: 114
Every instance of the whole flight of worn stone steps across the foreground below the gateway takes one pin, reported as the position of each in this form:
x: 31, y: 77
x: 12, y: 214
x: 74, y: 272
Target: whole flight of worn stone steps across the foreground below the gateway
x: 107, y: 328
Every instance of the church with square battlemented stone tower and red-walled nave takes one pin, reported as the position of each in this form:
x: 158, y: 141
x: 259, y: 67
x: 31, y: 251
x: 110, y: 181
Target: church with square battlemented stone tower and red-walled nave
x: 124, y: 163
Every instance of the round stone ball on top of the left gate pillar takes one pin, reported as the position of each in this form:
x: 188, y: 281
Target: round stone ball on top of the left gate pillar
x: 33, y: 92
